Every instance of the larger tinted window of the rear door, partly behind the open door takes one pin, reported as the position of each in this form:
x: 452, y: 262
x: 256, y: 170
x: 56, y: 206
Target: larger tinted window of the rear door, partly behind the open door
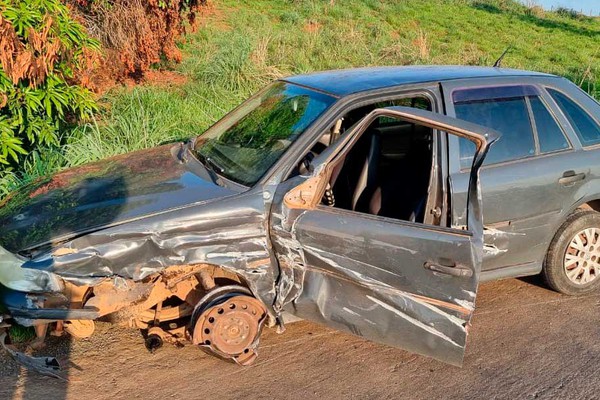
x: 503, y: 109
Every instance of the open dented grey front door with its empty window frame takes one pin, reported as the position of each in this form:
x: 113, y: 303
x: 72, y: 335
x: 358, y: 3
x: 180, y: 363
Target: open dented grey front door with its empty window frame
x: 406, y: 284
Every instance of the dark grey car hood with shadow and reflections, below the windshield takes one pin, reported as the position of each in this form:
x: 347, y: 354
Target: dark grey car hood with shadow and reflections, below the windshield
x: 100, y: 194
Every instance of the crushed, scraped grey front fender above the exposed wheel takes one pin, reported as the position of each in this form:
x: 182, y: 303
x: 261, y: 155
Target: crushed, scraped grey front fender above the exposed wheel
x: 230, y: 233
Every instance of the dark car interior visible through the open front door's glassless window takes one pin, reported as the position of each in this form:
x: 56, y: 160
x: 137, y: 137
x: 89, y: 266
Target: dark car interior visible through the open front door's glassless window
x: 388, y: 169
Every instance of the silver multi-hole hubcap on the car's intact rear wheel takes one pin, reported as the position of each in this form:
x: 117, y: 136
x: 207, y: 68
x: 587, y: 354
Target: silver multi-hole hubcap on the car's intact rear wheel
x: 582, y: 259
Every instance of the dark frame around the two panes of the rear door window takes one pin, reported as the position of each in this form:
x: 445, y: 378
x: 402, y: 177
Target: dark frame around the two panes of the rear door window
x: 542, y: 96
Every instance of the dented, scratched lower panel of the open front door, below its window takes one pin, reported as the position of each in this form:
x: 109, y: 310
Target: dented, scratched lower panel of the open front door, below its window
x: 360, y: 270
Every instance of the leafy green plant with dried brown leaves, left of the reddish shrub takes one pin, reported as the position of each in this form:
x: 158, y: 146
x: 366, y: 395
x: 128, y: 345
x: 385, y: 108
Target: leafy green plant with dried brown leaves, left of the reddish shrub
x: 45, y: 61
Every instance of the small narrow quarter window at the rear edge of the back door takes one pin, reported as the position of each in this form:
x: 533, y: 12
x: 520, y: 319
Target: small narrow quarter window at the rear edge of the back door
x: 550, y: 135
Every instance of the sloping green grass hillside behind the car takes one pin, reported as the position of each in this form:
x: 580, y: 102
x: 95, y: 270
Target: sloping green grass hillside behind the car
x: 245, y: 44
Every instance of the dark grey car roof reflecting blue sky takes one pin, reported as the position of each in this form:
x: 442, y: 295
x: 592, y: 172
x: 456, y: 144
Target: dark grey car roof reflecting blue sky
x: 348, y: 81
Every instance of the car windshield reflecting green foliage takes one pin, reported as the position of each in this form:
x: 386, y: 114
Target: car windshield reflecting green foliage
x: 247, y: 142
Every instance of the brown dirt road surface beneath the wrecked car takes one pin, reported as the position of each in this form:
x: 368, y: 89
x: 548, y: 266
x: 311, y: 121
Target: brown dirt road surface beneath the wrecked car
x: 526, y: 342
